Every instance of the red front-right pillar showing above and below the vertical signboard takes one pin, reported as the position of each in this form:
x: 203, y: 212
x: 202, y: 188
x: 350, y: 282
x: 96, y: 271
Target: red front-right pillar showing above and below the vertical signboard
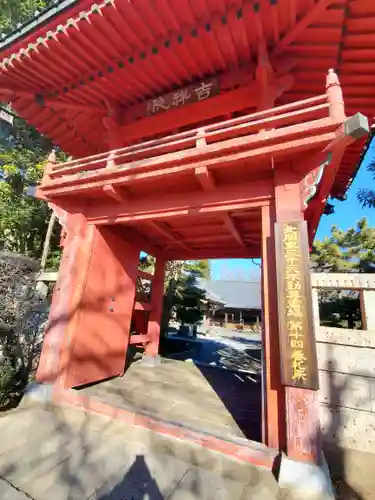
x: 302, y: 411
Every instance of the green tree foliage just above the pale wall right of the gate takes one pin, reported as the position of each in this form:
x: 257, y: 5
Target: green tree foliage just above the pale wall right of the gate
x: 346, y: 251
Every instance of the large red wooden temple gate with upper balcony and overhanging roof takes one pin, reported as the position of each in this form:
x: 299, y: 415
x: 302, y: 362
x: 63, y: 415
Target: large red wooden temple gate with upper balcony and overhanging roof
x: 200, y: 139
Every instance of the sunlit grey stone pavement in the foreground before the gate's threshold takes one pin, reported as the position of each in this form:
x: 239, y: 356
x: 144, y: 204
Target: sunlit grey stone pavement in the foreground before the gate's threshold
x: 60, y: 453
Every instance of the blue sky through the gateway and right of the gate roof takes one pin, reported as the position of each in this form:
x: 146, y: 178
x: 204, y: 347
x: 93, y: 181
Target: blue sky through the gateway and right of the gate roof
x: 346, y: 215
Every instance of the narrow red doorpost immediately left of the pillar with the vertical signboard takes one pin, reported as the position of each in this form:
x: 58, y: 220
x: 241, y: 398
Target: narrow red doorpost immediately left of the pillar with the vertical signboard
x: 273, y: 417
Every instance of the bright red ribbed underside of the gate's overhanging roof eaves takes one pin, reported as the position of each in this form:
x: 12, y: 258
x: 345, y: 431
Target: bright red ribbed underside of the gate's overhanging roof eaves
x: 313, y: 36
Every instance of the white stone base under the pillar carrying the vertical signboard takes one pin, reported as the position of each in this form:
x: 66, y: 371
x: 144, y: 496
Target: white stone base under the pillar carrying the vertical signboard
x: 305, y: 480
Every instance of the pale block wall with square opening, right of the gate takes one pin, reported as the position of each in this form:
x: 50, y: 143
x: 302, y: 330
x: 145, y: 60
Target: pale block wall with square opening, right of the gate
x: 346, y: 360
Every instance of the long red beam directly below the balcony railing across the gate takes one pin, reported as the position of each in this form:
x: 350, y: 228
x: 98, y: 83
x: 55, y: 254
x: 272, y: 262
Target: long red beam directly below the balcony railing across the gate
x: 216, y: 155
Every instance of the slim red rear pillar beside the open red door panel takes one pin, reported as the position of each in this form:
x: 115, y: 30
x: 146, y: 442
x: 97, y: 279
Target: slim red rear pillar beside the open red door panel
x: 157, y: 296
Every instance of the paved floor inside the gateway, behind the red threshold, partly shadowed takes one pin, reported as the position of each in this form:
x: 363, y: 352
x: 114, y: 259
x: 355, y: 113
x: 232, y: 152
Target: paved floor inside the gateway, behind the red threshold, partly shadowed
x: 218, y: 402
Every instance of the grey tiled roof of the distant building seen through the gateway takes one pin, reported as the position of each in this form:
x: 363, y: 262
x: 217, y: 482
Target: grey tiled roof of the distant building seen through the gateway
x: 234, y: 294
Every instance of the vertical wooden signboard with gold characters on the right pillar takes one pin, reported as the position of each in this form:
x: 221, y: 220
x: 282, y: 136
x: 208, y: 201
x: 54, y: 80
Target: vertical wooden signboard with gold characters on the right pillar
x: 296, y: 322
